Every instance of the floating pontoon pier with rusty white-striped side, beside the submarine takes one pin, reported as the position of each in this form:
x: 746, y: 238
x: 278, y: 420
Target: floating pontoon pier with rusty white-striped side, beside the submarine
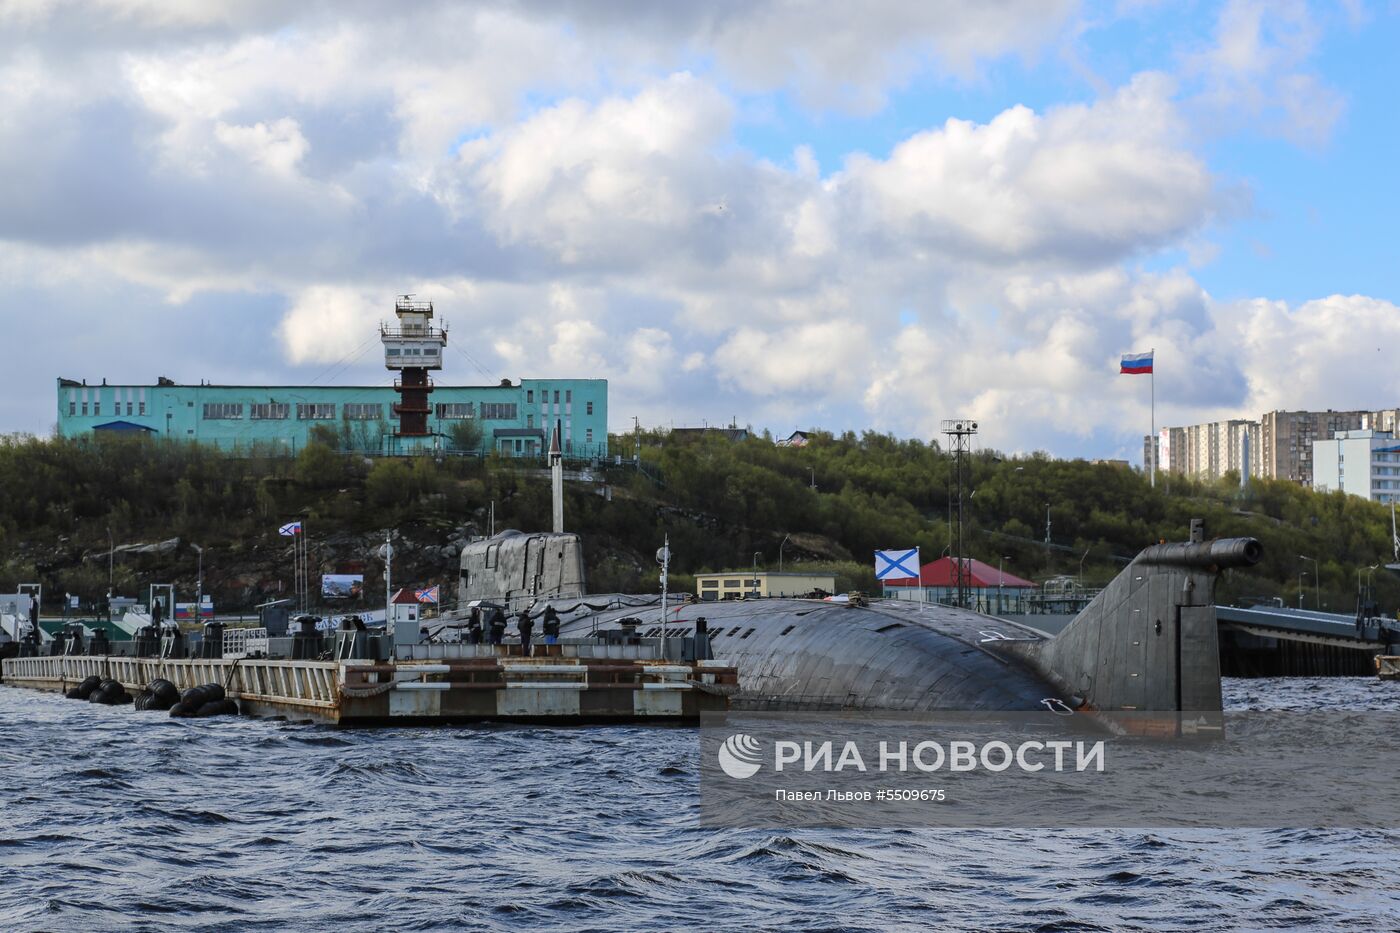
x: 575, y: 684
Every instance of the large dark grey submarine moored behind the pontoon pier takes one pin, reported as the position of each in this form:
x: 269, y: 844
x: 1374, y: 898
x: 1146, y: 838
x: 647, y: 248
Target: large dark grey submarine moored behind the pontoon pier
x: 1147, y: 642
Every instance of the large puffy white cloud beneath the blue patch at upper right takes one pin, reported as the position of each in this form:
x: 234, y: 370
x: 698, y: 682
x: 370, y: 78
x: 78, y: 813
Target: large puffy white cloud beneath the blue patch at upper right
x: 1080, y: 184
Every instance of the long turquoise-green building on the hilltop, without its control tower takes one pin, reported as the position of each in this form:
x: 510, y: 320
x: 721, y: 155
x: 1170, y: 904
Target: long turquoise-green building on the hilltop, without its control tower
x: 512, y: 418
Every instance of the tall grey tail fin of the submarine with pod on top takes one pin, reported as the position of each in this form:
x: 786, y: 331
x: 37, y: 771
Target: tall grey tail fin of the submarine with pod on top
x: 1149, y: 641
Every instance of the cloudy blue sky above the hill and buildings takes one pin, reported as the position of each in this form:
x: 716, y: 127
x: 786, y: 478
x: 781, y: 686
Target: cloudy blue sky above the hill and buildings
x: 786, y: 214
